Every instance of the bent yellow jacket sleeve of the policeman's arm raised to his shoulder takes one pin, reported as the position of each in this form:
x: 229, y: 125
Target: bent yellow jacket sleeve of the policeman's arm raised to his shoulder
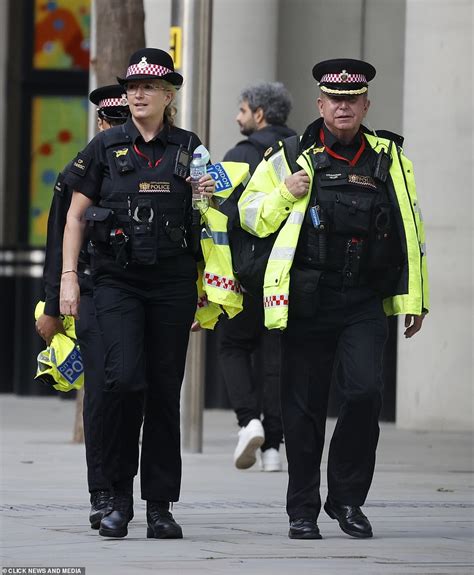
x: 266, y: 201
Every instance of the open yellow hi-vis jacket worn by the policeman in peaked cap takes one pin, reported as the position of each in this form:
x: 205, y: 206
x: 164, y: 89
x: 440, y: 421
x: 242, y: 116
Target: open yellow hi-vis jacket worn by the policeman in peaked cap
x: 267, y: 202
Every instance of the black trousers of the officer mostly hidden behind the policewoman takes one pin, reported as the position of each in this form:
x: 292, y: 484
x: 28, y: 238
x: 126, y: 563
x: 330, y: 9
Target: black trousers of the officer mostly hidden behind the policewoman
x: 90, y: 342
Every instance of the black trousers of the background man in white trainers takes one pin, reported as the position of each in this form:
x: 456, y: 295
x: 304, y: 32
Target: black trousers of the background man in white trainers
x: 249, y: 356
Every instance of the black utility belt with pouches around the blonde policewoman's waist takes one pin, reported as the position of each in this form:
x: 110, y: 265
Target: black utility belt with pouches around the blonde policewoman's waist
x: 137, y: 235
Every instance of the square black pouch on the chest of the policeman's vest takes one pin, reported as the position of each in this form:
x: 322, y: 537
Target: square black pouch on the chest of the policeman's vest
x: 352, y: 214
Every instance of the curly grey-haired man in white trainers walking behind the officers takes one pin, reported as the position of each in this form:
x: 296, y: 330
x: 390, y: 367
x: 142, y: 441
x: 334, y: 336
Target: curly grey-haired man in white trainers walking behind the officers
x: 249, y: 354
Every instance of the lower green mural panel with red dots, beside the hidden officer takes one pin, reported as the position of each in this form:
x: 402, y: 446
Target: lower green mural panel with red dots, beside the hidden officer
x: 59, y: 130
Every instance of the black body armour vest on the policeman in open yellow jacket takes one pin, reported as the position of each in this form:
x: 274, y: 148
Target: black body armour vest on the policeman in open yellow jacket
x: 349, y: 227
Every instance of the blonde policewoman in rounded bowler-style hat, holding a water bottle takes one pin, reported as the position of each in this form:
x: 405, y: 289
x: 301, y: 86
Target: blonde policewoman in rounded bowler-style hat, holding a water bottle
x: 132, y: 189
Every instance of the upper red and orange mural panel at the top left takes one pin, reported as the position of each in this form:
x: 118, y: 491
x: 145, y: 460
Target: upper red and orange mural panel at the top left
x: 62, y: 32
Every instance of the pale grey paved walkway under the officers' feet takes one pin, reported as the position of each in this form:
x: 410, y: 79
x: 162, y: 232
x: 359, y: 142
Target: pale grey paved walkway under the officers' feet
x: 421, y: 507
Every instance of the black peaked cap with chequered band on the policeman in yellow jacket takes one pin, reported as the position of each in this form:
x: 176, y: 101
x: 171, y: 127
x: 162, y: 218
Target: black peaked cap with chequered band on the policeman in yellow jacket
x: 343, y: 76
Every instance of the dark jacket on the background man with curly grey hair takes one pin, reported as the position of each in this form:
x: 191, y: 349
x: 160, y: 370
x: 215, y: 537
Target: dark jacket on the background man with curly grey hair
x: 252, y: 149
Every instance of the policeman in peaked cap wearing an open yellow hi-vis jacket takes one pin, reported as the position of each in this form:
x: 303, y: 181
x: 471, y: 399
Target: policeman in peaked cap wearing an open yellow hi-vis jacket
x: 350, y: 250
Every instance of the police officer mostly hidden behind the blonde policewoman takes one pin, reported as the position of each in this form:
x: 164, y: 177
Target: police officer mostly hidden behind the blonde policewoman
x: 112, y: 109
